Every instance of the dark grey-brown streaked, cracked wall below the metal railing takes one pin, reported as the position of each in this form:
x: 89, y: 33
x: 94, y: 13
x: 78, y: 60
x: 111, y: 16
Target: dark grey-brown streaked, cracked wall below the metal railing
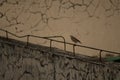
x: 18, y: 62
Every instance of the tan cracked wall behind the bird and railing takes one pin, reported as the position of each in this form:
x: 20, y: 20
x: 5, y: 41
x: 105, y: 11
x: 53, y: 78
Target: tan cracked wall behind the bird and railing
x: 94, y: 22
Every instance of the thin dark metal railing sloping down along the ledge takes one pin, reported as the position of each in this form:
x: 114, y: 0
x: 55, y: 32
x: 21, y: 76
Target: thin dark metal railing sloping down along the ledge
x: 64, y: 42
